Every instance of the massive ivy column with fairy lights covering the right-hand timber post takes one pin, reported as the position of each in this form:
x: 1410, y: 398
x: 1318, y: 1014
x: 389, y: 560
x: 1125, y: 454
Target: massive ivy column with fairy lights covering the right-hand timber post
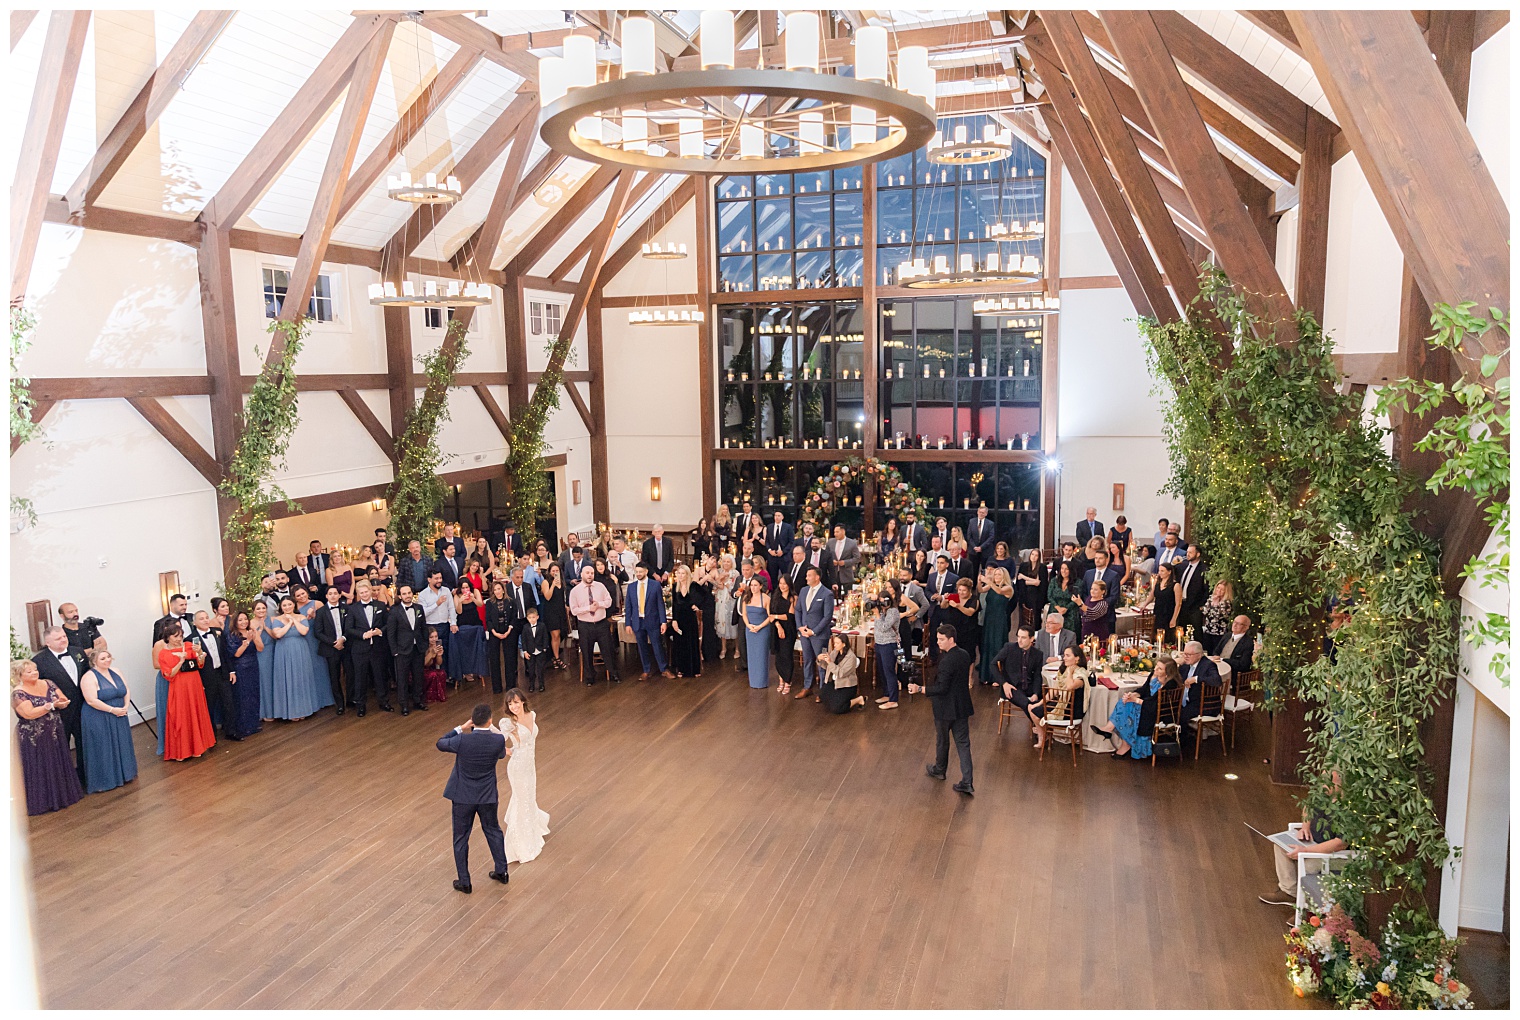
x: 1297, y: 504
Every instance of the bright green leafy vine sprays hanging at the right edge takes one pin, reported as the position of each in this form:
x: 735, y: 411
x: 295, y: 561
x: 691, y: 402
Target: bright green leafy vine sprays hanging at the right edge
x: 1475, y: 449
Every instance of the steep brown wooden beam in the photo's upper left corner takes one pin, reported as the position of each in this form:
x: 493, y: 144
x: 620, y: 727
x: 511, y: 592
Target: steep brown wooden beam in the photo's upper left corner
x: 42, y: 139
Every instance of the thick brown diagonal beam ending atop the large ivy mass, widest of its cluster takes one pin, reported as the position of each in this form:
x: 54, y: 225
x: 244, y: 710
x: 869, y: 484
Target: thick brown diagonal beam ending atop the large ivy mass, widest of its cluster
x: 1168, y: 101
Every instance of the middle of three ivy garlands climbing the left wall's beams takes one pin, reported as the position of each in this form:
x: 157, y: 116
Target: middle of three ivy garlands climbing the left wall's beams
x: 417, y: 495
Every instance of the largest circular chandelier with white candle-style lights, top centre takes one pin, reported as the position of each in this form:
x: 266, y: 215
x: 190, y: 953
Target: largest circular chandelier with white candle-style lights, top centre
x: 729, y: 119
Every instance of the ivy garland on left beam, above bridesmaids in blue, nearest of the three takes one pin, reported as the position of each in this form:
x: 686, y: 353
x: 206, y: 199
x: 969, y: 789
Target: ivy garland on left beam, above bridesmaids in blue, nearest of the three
x: 270, y: 420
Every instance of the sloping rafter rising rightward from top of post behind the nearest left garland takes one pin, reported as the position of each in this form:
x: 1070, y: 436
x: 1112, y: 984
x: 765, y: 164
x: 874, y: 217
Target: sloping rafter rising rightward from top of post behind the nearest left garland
x: 294, y: 125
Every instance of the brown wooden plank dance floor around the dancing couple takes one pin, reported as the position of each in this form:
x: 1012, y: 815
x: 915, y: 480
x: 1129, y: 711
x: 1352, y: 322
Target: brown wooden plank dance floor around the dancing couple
x: 712, y: 847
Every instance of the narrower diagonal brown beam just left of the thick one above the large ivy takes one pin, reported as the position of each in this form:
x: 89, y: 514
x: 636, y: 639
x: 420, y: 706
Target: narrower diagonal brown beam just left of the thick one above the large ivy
x: 1118, y: 144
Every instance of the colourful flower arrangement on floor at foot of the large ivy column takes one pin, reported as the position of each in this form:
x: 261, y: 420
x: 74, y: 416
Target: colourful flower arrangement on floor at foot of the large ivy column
x: 1411, y: 969
